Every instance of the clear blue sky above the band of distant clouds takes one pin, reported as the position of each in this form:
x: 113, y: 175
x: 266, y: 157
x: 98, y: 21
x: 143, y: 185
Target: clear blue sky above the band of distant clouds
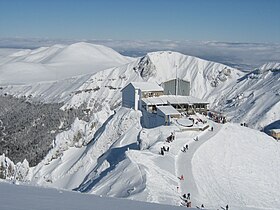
x: 213, y: 20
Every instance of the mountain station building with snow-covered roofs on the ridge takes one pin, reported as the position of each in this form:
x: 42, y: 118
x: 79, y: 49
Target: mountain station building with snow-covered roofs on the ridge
x: 158, y: 107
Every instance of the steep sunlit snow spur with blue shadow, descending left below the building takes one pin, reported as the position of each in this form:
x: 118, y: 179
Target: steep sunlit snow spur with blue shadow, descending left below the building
x: 72, y: 163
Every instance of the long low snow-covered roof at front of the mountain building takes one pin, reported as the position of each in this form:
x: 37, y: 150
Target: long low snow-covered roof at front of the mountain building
x: 173, y: 99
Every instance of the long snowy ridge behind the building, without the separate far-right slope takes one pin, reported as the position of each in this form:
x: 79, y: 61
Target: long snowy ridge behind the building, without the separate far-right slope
x: 207, y: 78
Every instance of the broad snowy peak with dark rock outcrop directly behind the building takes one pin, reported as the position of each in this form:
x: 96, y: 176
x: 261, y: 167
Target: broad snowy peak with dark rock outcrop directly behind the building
x: 205, y: 76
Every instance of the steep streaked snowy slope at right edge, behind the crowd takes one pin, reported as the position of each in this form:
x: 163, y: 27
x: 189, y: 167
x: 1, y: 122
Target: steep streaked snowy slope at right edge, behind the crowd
x: 255, y: 99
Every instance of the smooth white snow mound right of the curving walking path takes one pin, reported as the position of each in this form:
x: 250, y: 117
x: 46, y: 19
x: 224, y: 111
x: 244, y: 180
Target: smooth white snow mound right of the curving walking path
x: 238, y: 166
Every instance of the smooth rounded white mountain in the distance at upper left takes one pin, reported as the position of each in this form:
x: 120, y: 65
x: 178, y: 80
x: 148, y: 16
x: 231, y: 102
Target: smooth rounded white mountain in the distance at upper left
x: 57, y: 62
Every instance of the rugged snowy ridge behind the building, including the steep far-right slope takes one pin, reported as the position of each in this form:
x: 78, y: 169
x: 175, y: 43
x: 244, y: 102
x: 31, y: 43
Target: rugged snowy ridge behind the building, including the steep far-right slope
x: 252, y: 98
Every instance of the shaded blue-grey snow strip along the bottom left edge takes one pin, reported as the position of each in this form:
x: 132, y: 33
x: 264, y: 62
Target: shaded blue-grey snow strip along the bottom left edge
x: 20, y: 197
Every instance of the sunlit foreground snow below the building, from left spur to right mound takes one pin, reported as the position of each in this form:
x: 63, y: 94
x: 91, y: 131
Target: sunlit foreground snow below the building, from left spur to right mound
x: 231, y: 165
